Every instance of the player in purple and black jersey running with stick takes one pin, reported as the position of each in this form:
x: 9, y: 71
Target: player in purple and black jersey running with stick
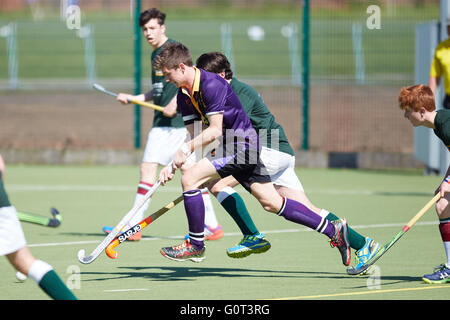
x: 207, y: 97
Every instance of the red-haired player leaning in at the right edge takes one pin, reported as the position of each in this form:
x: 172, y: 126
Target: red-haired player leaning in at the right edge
x: 419, y: 108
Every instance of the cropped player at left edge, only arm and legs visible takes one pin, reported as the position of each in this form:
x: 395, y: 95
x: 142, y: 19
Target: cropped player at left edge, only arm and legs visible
x: 13, y: 245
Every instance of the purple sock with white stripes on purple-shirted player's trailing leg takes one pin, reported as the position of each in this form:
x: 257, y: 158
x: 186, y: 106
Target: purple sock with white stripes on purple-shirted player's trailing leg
x: 296, y: 212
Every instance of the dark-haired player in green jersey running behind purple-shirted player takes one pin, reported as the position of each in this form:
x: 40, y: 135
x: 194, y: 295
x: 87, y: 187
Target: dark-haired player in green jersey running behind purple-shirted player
x: 278, y: 158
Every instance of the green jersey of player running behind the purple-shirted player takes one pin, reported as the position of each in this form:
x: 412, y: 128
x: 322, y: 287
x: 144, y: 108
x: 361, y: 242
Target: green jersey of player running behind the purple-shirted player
x: 260, y: 116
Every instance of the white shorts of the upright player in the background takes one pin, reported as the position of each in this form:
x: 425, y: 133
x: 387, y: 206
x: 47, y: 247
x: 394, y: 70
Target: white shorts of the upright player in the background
x: 163, y: 143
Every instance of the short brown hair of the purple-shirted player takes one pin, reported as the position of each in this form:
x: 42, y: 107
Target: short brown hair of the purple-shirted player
x: 172, y: 55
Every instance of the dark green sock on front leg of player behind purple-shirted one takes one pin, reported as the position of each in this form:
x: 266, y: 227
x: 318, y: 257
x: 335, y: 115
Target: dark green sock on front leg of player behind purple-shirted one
x: 235, y: 206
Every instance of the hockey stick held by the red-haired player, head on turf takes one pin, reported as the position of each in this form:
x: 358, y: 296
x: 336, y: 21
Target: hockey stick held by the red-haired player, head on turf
x: 387, y: 246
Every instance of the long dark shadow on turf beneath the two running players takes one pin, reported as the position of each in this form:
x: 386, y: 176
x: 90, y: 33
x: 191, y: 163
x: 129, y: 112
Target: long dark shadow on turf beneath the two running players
x: 191, y: 273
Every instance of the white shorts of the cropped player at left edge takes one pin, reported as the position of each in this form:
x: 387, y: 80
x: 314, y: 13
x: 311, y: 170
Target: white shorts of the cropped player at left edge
x: 11, y: 233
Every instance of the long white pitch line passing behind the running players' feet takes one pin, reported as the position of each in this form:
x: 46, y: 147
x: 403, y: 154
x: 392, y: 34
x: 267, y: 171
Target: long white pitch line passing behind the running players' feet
x: 231, y: 234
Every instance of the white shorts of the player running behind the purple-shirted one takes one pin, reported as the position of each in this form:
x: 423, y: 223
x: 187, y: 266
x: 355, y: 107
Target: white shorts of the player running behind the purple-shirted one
x: 280, y: 166
